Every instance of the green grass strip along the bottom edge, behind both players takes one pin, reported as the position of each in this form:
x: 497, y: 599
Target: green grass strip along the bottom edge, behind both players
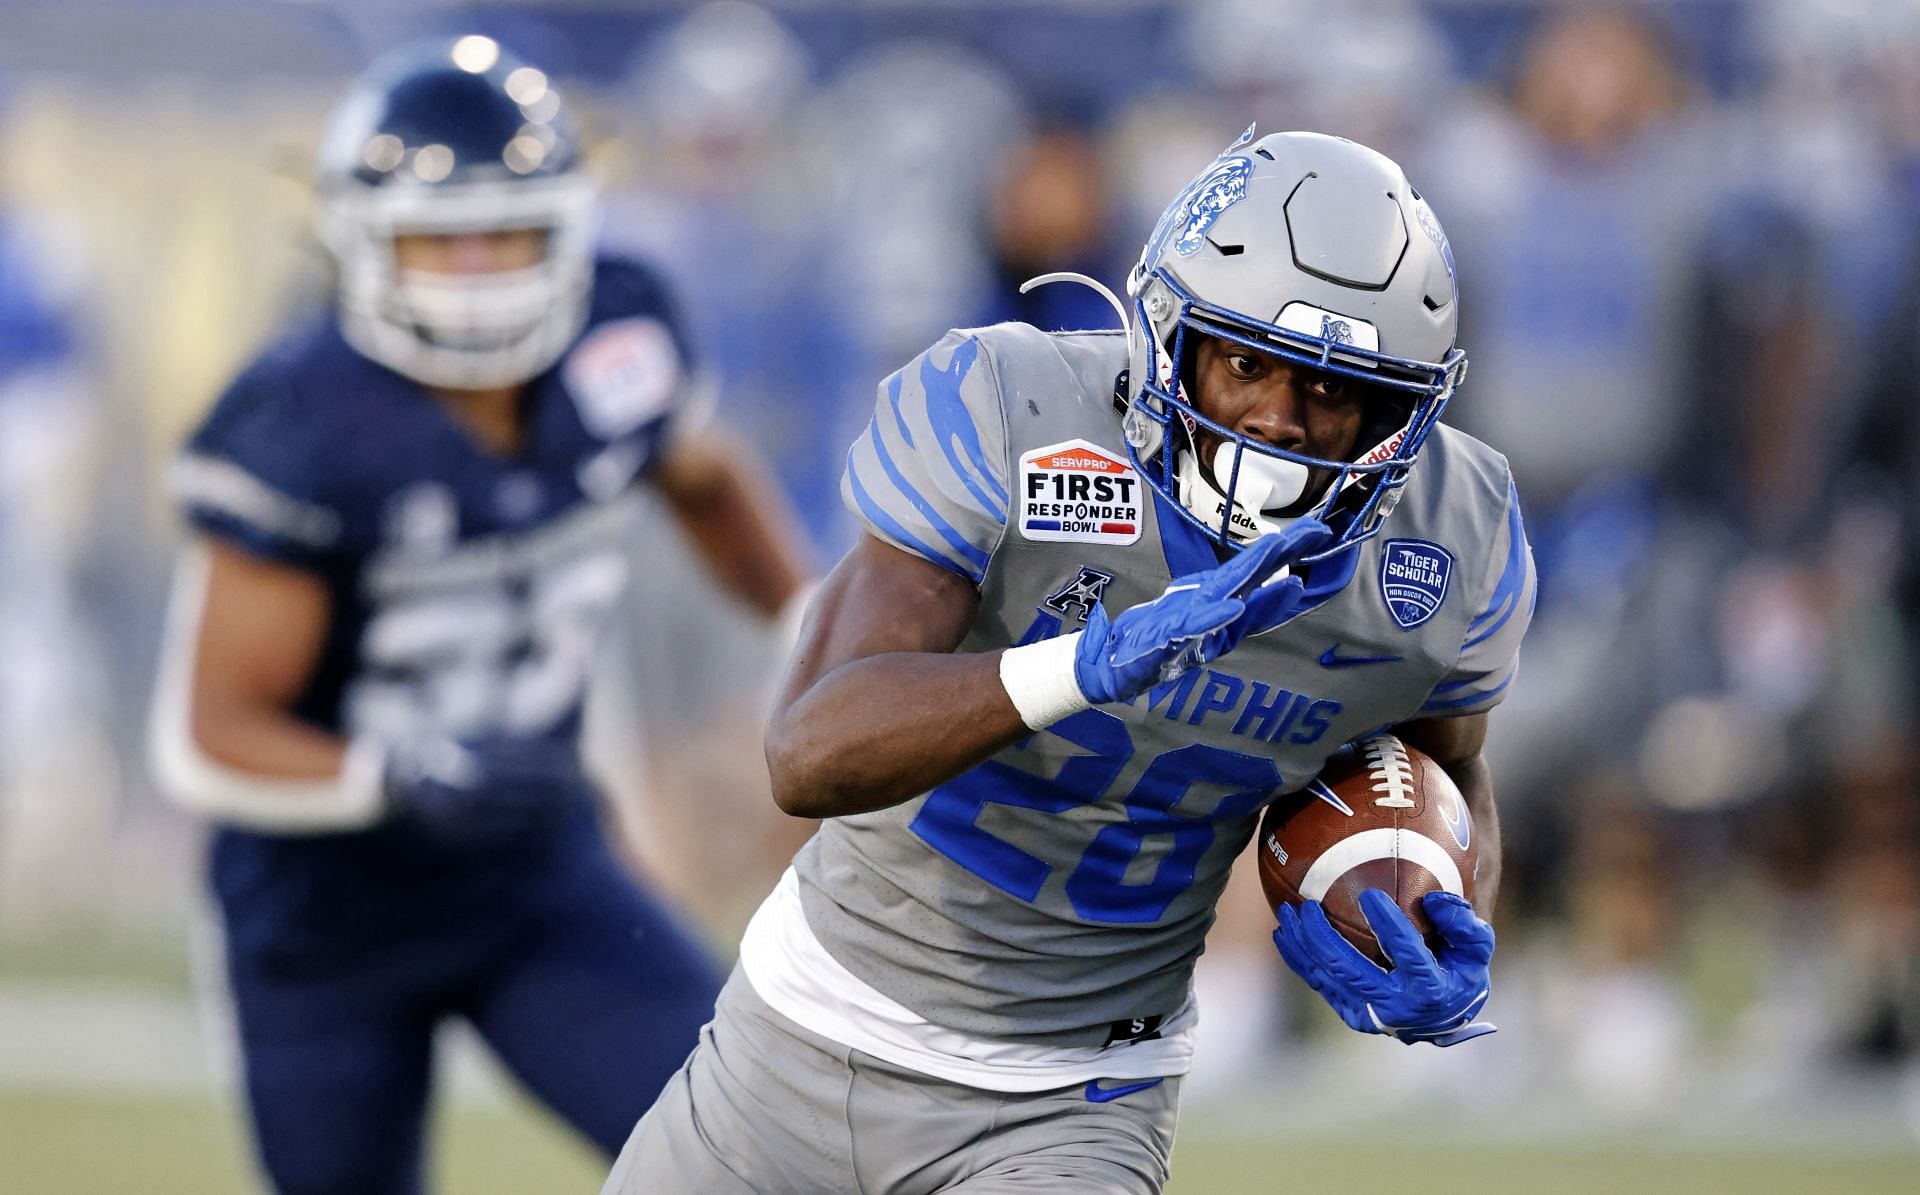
x: 105, y: 1144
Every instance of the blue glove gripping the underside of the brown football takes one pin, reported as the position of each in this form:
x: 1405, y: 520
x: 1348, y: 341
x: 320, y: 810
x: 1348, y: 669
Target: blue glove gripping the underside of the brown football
x: 1424, y: 998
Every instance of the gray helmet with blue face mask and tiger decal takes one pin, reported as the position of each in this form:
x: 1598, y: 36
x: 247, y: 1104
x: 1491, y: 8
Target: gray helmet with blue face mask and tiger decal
x: 1310, y: 249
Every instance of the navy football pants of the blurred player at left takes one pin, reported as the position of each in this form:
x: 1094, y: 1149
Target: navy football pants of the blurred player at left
x: 579, y: 983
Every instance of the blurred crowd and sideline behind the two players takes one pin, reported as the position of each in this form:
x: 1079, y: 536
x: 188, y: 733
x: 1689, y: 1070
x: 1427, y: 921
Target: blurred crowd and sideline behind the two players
x: 1689, y: 243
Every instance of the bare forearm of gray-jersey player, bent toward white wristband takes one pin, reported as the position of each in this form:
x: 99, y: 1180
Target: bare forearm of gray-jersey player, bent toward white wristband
x: 886, y: 729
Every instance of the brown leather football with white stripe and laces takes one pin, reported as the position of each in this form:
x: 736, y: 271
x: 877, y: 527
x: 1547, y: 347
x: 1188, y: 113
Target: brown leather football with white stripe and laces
x: 1380, y: 816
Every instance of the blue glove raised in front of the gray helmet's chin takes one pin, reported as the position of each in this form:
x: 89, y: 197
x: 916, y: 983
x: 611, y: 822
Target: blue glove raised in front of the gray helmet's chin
x: 1197, y: 620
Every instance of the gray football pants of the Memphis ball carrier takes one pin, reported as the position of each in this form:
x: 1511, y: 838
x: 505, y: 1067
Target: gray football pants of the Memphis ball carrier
x: 767, y: 1108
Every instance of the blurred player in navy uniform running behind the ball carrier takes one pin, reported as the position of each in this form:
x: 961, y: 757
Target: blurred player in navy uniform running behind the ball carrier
x: 410, y: 531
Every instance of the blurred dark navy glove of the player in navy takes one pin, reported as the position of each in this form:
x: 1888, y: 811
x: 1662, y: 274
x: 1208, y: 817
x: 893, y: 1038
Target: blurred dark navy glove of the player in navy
x: 485, y: 789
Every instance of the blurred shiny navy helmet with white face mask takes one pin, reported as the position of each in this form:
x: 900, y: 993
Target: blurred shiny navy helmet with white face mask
x: 456, y: 137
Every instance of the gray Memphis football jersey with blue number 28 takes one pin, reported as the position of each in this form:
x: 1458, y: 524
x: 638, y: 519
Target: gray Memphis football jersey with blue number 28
x: 1061, y: 892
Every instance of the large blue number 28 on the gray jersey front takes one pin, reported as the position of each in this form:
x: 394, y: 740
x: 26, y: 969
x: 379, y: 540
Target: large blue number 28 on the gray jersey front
x: 1099, y: 887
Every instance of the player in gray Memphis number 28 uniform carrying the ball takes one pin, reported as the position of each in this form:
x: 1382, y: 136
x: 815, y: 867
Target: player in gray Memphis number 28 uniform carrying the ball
x: 1120, y: 591
